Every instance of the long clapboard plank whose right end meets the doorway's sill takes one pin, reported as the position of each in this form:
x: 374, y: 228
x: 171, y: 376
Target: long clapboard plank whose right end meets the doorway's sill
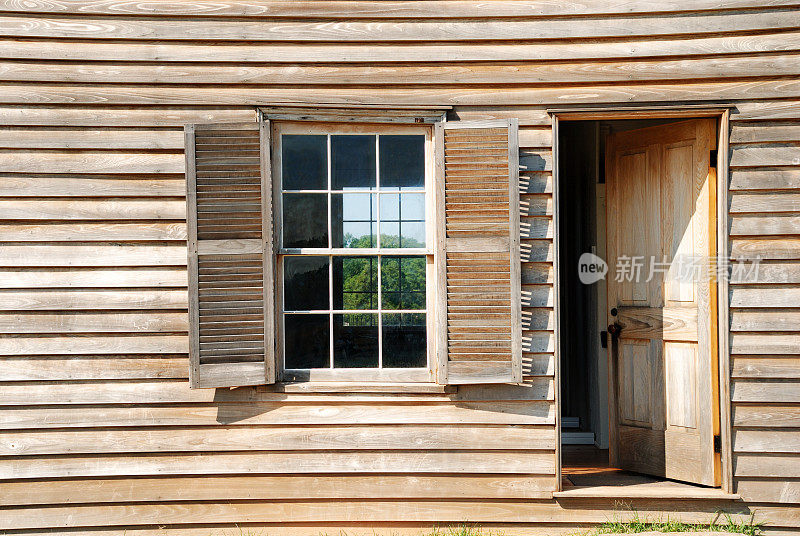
x: 272, y: 487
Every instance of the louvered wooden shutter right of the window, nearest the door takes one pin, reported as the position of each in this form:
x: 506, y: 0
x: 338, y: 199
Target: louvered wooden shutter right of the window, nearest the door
x: 479, y: 326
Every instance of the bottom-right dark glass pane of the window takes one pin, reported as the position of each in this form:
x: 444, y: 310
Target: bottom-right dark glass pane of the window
x: 404, y: 340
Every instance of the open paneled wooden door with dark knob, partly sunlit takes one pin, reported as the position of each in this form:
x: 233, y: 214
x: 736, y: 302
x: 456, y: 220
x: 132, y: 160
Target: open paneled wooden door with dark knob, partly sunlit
x: 662, y: 301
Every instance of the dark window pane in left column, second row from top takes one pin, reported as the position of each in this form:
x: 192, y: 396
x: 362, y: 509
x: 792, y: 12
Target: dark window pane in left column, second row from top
x: 305, y: 220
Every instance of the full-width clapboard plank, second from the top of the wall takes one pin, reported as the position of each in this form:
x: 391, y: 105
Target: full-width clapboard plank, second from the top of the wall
x: 357, y: 31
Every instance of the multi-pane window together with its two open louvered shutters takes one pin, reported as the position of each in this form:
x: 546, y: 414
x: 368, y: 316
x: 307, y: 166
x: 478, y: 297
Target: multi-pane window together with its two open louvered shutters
x: 311, y: 251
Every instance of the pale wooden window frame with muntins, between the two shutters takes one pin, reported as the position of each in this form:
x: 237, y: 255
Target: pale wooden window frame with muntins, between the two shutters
x: 405, y: 375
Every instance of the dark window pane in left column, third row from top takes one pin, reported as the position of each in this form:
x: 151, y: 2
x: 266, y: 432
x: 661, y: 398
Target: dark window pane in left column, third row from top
x: 305, y: 283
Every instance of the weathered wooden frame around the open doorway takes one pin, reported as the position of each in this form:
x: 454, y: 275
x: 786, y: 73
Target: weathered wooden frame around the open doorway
x: 722, y: 113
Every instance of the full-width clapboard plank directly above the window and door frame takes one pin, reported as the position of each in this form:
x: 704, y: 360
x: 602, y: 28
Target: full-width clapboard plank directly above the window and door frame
x: 133, y: 95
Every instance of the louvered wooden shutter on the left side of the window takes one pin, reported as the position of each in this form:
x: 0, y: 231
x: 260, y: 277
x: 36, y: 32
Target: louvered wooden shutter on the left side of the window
x: 231, y: 262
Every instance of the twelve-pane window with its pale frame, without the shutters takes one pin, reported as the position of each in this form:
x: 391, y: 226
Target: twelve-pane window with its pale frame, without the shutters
x: 354, y: 257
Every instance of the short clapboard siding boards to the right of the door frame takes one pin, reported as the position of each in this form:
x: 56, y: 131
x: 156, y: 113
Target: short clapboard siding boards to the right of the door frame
x: 765, y: 329
